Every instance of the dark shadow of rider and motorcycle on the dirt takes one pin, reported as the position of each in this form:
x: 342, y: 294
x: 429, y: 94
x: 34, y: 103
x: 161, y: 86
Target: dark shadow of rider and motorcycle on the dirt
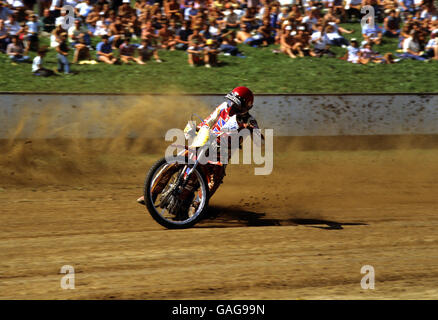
x: 222, y: 217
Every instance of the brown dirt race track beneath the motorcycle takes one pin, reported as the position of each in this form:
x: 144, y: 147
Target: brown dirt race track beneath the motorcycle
x: 303, y: 232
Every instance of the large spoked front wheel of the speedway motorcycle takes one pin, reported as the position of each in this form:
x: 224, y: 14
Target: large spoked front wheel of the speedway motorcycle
x: 168, y: 203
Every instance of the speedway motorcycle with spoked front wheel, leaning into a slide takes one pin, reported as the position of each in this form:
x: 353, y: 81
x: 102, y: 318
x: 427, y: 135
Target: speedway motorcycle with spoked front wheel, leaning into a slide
x: 176, y: 190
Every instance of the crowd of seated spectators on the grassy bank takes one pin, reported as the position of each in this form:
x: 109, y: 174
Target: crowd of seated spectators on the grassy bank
x: 134, y: 32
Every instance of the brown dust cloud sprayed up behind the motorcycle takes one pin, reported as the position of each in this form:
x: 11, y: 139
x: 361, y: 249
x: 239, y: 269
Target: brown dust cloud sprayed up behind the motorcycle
x: 57, y: 151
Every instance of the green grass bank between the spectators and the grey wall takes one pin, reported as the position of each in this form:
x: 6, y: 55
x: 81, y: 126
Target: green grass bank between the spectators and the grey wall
x: 261, y: 70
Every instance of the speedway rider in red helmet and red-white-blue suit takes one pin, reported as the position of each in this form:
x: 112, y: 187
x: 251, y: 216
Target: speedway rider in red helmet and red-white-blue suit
x: 237, y: 102
